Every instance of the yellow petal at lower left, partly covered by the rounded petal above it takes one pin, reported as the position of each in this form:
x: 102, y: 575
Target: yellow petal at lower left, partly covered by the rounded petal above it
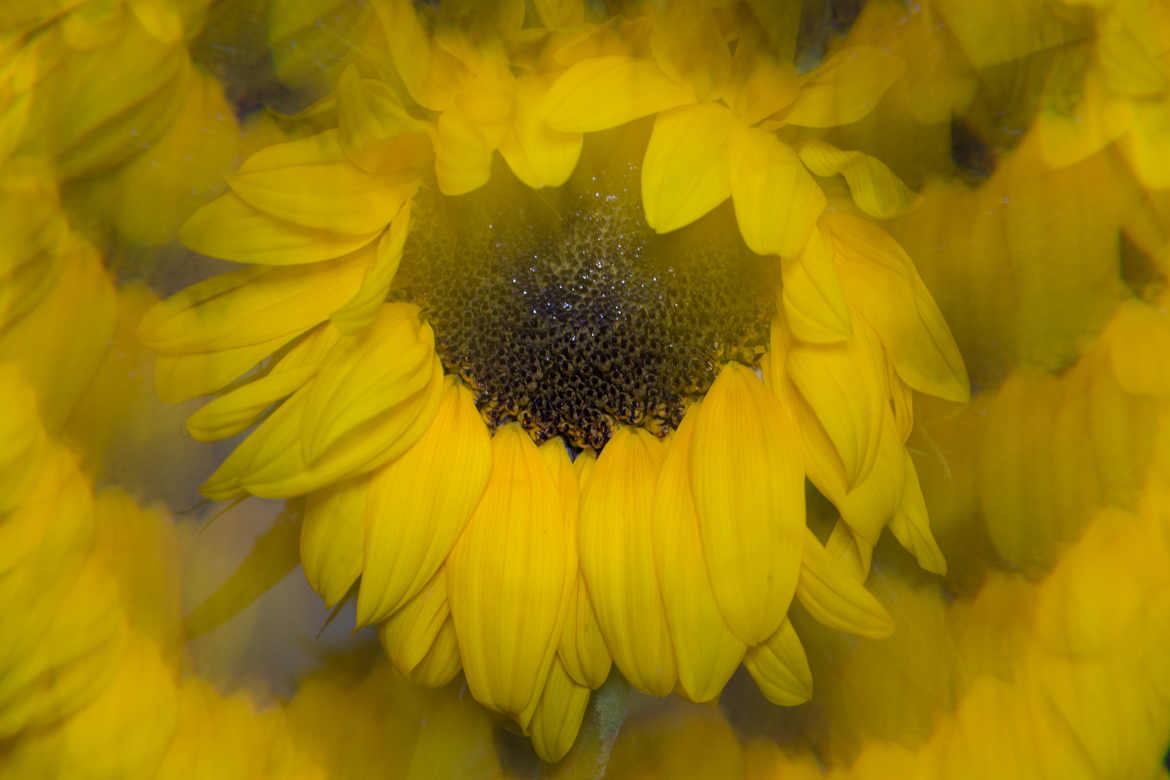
x: 271, y: 463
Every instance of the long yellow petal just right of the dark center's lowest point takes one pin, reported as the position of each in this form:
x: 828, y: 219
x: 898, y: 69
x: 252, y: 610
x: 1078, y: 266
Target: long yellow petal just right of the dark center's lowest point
x: 617, y: 560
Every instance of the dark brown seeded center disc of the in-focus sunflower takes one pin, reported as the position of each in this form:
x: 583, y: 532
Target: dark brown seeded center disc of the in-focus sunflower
x: 563, y: 310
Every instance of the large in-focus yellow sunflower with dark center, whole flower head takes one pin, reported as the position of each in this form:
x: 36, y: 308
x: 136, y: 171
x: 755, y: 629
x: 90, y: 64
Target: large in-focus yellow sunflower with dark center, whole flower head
x: 553, y: 410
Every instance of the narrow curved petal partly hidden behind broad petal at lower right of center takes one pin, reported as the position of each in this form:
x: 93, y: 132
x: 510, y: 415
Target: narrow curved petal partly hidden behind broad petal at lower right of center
x: 706, y: 650
